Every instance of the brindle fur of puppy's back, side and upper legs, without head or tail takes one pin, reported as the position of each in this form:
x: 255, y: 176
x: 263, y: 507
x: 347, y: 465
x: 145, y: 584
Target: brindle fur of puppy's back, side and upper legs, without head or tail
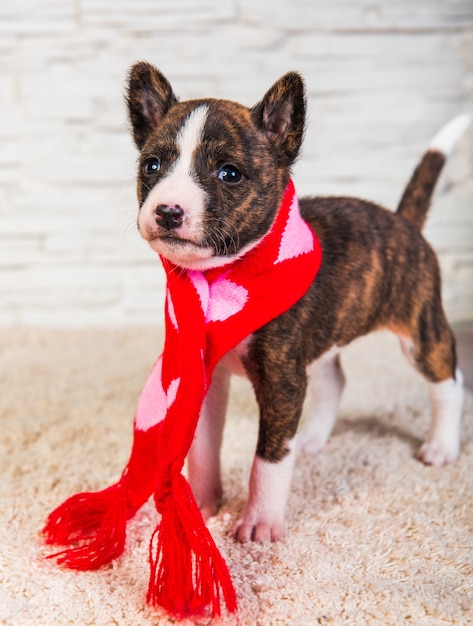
x: 377, y: 272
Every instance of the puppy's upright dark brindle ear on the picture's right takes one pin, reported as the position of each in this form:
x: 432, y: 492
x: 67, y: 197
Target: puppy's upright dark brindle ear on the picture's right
x: 281, y: 116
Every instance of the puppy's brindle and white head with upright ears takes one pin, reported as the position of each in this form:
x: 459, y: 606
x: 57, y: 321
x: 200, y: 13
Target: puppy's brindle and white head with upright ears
x: 211, y: 173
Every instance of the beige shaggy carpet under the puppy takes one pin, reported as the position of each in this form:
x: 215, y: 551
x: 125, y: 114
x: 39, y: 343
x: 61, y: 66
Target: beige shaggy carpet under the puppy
x: 373, y: 536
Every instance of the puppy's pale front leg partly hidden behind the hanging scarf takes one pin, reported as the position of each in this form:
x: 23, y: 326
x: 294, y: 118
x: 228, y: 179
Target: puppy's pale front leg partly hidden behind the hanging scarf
x: 203, y: 460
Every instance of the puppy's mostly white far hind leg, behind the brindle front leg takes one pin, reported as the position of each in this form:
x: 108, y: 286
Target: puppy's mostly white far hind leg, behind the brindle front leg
x: 326, y: 380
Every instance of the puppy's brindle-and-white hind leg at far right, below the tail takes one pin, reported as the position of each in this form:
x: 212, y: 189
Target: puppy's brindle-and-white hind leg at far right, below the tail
x: 433, y: 354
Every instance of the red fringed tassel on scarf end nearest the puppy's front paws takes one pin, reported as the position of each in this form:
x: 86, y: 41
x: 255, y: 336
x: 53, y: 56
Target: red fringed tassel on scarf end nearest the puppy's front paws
x: 188, y: 573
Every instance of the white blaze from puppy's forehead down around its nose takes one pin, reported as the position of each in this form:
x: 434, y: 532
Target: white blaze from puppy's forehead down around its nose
x: 179, y: 187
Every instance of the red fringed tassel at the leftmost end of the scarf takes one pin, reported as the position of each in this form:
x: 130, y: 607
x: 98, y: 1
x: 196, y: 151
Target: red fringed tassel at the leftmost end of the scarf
x: 96, y: 521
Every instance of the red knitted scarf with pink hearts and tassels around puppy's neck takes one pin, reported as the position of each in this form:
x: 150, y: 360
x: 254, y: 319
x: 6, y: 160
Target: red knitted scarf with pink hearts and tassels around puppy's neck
x: 207, y: 314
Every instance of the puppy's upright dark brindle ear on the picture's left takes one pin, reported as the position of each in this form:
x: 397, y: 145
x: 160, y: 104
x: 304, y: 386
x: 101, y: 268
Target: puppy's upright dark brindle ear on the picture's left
x: 149, y: 97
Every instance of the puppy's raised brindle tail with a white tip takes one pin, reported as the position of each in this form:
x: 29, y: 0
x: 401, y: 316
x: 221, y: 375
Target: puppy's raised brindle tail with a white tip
x: 416, y: 199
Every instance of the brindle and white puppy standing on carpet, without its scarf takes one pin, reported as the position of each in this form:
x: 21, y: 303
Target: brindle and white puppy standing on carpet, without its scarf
x: 211, y: 177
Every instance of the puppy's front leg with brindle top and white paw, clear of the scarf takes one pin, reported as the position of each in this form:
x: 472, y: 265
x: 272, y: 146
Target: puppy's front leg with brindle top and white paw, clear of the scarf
x: 280, y: 389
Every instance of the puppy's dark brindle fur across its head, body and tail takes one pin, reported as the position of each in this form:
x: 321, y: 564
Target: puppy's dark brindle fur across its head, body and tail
x: 377, y: 270
